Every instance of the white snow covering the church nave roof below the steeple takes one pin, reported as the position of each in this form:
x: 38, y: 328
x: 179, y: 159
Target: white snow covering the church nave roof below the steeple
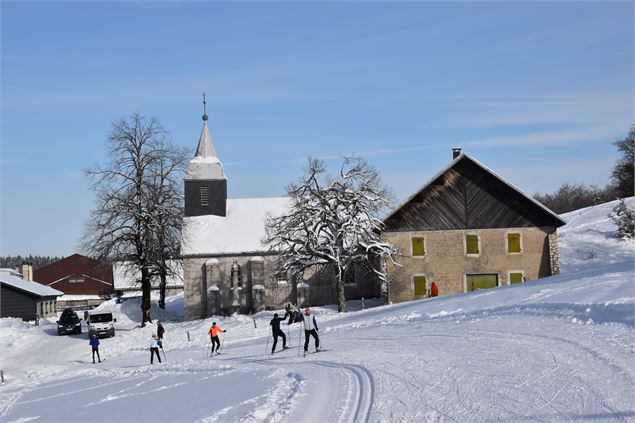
x: 239, y: 232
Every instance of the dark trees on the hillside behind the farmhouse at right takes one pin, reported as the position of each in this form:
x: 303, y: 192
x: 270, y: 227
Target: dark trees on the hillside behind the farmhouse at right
x: 576, y: 196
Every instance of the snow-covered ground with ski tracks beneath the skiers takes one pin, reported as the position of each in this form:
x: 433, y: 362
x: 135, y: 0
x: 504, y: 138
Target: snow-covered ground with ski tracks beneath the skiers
x: 558, y: 349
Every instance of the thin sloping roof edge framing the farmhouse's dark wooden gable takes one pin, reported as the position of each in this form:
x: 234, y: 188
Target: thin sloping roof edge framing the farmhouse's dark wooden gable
x: 462, y: 159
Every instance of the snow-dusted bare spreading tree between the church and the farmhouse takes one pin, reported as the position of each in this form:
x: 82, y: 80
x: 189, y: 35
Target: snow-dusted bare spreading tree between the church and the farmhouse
x: 332, y: 222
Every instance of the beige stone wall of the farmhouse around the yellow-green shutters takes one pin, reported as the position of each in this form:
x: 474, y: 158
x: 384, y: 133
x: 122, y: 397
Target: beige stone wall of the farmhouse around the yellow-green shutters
x: 446, y: 263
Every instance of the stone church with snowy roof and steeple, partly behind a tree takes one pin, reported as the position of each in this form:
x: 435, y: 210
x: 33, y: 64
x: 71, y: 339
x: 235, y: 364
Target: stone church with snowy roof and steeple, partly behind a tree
x: 226, y: 269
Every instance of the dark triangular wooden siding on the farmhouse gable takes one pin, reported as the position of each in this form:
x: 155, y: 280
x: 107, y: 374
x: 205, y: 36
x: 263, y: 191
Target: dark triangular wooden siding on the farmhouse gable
x: 468, y: 196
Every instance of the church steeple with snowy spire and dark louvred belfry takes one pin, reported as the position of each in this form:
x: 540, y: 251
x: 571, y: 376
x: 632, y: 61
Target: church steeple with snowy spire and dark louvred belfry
x: 205, y: 181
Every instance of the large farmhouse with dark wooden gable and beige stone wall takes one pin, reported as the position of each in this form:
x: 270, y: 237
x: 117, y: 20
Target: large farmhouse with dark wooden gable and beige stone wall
x: 469, y: 229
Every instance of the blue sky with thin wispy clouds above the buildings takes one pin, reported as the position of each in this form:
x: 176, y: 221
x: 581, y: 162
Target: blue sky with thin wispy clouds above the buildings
x: 535, y: 91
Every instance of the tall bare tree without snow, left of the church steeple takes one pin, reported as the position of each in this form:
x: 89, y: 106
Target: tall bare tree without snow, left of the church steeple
x: 136, y: 200
